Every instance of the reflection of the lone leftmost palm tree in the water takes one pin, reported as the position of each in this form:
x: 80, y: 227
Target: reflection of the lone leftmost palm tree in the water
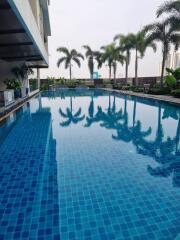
x: 70, y: 116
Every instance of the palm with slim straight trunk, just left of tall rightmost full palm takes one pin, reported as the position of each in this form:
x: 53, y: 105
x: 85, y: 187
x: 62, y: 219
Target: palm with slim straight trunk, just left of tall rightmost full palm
x: 141, y: 42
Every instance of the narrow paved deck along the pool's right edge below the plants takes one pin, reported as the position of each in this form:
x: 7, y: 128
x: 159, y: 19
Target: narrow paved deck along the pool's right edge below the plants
x: 163, y: 98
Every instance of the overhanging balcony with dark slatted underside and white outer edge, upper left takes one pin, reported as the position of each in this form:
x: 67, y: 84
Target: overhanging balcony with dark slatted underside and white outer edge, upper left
x: 20, y: 39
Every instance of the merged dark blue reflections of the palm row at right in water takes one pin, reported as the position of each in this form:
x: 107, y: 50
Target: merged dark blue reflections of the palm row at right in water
x: 166, y: 153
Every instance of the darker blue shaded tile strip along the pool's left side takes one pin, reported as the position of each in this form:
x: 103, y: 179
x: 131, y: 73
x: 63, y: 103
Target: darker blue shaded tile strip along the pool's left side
x: 28, y: 176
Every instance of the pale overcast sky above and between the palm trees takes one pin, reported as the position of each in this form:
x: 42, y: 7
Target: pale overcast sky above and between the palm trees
x: 75, y: 23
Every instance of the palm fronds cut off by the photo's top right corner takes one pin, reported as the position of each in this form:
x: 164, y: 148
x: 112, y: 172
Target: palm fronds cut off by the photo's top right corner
x: 172, y: 8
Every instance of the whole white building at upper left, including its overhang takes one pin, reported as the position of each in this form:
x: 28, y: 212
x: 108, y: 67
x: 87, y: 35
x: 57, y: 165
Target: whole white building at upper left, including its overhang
x: 24, y: 31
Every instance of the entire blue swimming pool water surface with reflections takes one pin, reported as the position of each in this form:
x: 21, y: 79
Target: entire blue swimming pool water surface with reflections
x: 90, y: 164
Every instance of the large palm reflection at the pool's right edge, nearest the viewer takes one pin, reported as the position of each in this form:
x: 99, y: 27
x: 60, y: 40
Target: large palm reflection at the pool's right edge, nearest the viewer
x: 166, y: 153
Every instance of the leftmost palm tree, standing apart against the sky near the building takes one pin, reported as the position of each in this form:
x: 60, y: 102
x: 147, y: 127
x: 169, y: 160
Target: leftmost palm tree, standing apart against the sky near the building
x: 70, y: 56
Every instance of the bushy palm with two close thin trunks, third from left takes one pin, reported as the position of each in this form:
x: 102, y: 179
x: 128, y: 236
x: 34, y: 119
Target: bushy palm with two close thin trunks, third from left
x: 112, y: 55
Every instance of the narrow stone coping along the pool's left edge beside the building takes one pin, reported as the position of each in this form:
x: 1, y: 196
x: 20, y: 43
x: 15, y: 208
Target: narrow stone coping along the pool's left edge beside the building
x: 15, y: 106
